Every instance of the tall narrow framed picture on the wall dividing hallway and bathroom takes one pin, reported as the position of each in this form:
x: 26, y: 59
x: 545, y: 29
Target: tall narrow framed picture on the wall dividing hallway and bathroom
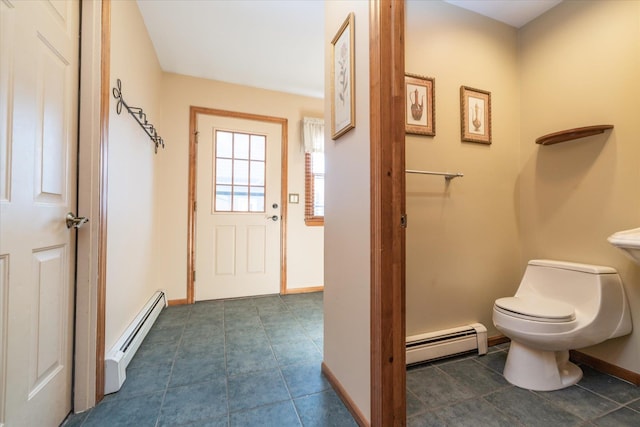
x: 343, y: 92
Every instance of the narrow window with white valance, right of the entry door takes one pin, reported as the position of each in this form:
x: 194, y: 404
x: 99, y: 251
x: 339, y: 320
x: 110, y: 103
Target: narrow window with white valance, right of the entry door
x: 313, y: 140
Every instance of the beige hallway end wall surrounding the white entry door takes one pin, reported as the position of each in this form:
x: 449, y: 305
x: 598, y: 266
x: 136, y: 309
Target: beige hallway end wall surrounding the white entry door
x: 304, y: 244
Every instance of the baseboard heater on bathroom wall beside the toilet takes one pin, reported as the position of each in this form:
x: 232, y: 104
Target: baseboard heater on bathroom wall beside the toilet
x: 445, y: 343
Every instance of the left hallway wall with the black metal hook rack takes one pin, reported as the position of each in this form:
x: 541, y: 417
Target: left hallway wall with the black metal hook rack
x: 132, y: 164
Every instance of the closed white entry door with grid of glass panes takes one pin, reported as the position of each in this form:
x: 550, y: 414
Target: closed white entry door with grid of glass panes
x: 238, y: 214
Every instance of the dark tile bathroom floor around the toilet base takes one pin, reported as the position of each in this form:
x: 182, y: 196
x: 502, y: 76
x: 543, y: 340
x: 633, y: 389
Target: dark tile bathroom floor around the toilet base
x: 471, y: 391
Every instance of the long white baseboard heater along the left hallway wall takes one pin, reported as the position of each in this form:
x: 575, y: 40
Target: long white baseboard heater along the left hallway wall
x: 118, y: 358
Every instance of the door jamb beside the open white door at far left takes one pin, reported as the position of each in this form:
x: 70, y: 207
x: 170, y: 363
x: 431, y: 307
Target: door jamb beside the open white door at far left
x: 89, y: 327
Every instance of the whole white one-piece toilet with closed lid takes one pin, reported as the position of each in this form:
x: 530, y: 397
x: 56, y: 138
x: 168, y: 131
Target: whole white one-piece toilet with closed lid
x: 559, y: 306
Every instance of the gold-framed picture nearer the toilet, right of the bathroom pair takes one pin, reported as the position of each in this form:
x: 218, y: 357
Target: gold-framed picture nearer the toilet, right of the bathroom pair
x: 475, y: 113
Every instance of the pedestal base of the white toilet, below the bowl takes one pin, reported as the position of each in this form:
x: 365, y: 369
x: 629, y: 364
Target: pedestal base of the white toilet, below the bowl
x: 540, y: 370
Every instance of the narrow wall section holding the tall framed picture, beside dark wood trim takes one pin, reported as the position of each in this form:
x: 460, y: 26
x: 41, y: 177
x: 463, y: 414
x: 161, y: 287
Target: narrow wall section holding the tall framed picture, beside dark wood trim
x: 347, y: 222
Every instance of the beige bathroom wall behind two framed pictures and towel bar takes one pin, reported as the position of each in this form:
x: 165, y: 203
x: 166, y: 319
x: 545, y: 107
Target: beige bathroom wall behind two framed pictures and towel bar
x: 462, y: 239
